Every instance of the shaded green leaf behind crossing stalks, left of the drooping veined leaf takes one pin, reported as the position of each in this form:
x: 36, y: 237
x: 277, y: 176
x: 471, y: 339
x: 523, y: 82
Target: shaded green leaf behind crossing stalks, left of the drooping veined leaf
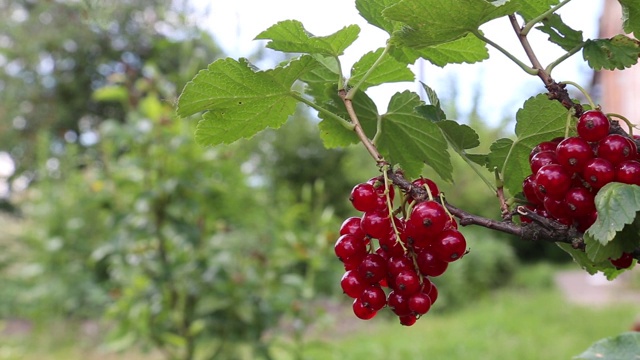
x: 333, y: 134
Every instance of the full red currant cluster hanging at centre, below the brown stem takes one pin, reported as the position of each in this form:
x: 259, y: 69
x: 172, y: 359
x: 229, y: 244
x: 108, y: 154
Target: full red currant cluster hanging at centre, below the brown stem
x: 407, y: 253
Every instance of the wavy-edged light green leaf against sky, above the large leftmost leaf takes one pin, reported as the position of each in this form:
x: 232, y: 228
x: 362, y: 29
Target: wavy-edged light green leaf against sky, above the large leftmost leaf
x: 291, y: 36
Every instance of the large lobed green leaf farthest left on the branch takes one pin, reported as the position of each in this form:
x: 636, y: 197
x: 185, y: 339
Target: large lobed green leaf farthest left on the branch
x: 239, y: 100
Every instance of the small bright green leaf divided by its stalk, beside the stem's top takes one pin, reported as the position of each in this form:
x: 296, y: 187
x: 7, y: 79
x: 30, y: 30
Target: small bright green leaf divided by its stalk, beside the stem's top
x: 387, y: 71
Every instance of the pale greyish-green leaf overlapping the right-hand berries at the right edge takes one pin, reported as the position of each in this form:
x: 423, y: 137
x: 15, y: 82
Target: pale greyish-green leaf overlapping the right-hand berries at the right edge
x: 617, y: 205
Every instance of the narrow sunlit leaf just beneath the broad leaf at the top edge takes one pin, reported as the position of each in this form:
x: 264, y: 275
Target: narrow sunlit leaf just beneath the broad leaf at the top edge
x: 468, y: 49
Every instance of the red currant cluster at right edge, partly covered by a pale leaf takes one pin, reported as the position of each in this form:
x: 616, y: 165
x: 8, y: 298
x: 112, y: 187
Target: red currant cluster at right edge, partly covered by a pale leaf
x: 566, y: 173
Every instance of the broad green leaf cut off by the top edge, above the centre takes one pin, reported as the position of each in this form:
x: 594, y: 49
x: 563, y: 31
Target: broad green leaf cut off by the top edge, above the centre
x: 433, y: 22
